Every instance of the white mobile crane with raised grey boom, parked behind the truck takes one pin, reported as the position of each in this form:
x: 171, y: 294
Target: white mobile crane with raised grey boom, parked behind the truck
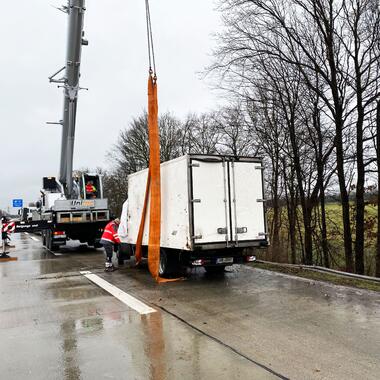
x: 69, y: 208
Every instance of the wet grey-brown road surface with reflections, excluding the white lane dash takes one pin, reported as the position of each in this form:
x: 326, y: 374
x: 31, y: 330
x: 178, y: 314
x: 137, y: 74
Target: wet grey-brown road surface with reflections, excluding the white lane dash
x: 247, y: 324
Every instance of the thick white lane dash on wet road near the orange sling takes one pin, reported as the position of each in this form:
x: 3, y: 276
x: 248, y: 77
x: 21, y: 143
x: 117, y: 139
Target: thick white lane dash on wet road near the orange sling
x: 126, y: 298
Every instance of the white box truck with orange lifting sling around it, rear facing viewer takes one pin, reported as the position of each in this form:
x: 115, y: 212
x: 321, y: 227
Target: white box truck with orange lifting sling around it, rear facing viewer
x: 212, y: 207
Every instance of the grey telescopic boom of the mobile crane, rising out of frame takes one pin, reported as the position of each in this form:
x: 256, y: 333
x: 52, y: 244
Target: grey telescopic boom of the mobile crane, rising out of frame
x: 75, y: 10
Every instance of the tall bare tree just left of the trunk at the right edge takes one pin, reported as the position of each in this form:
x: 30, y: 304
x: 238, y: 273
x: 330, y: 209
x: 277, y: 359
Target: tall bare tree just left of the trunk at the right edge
x: 360, y: 39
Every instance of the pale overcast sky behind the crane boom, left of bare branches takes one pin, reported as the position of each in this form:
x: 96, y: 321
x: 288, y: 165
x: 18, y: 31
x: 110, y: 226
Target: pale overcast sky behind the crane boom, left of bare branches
x: 114, y: 68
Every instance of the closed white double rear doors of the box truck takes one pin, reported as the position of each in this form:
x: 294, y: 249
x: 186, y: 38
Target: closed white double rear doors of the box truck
x: 227, y: 201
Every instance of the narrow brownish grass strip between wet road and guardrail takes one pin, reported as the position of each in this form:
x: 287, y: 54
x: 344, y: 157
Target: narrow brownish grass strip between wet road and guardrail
x: 319, y: 276
